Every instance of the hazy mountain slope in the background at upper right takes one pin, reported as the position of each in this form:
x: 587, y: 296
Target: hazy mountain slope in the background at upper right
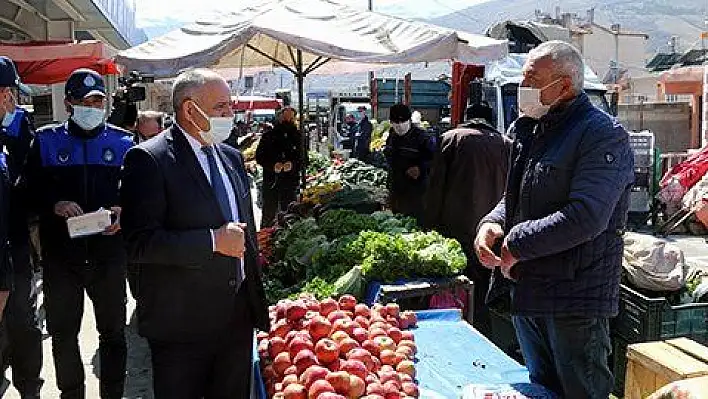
x: 660, y: 19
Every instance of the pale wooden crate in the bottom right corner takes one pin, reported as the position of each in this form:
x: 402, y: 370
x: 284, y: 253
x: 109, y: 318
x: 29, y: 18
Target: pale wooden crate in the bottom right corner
x: 652, y: 365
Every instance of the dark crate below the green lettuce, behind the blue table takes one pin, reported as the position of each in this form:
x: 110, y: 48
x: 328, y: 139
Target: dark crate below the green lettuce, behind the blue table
x: 416, y: 294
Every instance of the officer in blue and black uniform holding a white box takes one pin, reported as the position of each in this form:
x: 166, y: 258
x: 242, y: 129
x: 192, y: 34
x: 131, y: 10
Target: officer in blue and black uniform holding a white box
x: 73, y: 169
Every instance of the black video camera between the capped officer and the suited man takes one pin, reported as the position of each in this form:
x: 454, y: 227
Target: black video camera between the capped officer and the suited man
x: 125, y: 111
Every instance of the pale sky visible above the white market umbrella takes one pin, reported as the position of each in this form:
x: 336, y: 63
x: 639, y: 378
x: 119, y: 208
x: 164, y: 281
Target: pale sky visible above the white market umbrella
x: 158, y: 16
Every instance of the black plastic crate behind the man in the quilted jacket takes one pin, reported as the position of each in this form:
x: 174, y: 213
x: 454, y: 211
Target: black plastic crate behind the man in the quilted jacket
x: 642, y: 318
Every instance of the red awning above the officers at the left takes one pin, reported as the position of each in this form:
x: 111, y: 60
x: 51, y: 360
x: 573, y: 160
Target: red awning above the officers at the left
x: 53, y: 62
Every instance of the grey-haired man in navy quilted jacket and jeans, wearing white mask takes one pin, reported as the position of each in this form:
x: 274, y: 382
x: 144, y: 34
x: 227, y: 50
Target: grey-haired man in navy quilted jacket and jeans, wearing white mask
x: 560, y: 225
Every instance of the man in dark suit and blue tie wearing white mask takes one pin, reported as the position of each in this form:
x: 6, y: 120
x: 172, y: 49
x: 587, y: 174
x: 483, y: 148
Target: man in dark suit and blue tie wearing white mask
x: 188, y: 221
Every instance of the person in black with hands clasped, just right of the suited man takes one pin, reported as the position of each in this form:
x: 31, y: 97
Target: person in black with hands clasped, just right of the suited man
x: 280, y: 154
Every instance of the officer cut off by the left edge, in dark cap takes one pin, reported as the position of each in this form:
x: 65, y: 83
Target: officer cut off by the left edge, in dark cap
x: 24, y: 353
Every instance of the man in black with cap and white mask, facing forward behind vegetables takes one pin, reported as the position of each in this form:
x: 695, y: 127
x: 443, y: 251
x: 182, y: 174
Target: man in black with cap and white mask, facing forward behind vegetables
x: 409, y: 152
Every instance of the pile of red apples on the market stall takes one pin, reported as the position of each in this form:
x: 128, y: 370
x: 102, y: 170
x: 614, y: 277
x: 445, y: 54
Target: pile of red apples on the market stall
x: 338, y: 350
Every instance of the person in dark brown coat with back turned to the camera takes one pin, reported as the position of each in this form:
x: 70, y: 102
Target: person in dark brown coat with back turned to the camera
x: 467, y: 180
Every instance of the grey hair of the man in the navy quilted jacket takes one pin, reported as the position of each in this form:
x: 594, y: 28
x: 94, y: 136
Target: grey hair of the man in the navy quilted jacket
x: 567, y: 60
